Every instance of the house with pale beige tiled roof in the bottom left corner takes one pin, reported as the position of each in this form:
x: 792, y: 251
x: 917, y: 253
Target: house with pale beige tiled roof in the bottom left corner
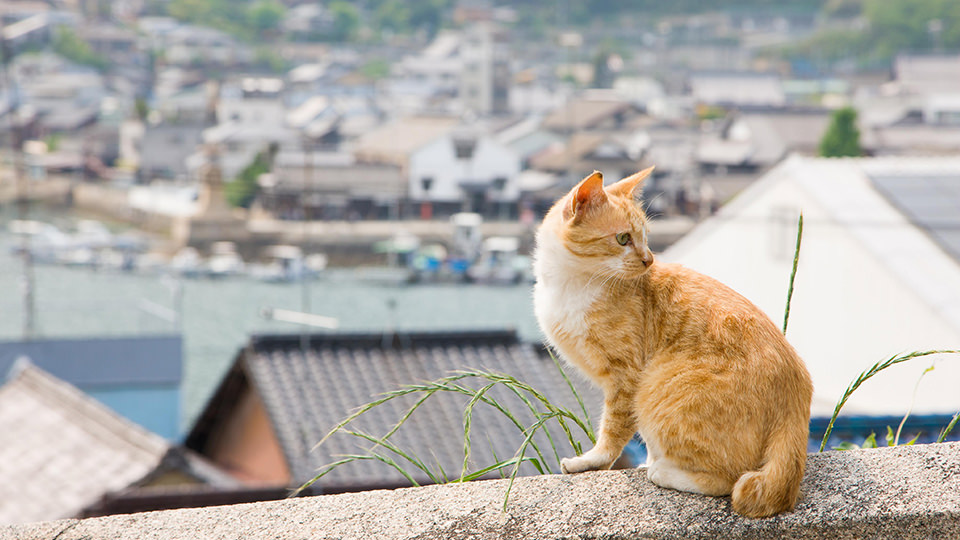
x: 65, y: 455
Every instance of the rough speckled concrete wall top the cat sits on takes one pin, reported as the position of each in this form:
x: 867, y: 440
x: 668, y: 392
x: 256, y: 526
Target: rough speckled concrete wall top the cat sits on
x: 904, y: 492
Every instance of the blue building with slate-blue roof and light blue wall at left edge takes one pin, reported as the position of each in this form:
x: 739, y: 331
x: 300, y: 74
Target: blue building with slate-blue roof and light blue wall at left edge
x: 137, y: 377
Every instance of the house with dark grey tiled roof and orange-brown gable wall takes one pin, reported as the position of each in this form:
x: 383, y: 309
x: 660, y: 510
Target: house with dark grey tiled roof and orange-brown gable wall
x: 282, y: 396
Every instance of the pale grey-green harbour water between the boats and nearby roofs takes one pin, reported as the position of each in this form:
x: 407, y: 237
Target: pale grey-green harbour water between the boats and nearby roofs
x: 219, y: 315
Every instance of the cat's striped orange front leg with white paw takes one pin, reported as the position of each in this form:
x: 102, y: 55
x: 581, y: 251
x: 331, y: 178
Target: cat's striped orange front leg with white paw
x: 617, y: 427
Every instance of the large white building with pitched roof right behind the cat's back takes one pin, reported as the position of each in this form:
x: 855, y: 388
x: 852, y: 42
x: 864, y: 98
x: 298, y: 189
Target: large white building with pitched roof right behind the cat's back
x: 879, y: 275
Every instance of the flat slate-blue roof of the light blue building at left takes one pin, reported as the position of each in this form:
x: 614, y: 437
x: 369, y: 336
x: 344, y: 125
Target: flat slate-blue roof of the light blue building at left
x: 91, y: 362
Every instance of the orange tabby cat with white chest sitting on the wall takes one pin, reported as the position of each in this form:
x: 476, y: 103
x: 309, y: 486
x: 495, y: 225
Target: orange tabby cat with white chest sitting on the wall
x: 716, y: 392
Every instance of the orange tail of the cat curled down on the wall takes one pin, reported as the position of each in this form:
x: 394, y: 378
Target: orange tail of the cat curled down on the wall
x: 775, y: 487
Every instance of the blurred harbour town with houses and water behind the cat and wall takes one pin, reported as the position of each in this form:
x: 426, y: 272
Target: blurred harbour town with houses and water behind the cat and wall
x: 225, y: 224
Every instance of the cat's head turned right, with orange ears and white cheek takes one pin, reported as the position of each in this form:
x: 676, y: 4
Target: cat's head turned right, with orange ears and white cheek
x: 604, y: 228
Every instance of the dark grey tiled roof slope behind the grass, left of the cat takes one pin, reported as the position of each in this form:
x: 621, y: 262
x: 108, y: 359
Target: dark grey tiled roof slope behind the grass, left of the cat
x: 307, y: 394
